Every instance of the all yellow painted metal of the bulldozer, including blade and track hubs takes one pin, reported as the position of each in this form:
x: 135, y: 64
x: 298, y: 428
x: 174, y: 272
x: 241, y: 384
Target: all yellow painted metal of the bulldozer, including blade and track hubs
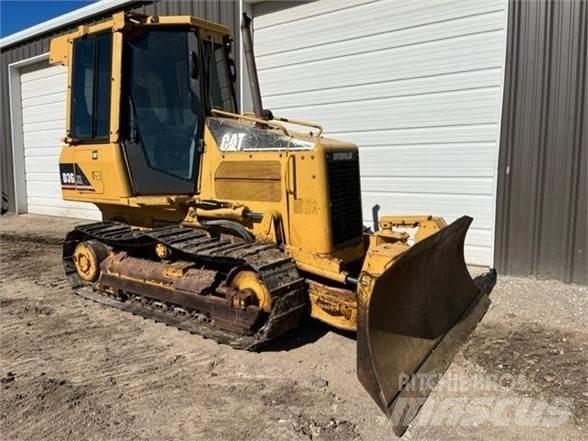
x: 410, y: 304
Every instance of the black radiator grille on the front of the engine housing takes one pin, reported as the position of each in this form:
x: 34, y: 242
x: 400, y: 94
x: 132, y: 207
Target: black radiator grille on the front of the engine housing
x: 344, y: 196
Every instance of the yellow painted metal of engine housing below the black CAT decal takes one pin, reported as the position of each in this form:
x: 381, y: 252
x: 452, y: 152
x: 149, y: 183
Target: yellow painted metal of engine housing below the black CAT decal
x: 304, y: 203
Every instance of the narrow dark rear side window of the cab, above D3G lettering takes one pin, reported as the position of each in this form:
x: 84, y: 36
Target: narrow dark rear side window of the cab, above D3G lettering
x: 90, y: 97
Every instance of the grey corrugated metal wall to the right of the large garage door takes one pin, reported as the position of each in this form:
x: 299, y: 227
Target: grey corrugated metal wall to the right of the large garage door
x: 542, y: 183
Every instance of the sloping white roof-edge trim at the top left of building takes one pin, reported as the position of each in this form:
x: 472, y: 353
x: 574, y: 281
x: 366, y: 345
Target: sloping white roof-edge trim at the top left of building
x: 64, y: 20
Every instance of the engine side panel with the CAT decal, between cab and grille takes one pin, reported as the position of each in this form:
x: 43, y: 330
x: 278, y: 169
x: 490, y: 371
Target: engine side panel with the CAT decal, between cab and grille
x: 270, y: 172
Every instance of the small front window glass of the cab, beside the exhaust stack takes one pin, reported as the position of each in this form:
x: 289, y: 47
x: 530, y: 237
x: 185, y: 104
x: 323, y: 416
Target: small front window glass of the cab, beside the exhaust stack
x: 218, y: 81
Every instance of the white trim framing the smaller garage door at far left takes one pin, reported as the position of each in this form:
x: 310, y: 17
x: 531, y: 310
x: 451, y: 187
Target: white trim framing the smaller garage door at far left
x: 16, y: 124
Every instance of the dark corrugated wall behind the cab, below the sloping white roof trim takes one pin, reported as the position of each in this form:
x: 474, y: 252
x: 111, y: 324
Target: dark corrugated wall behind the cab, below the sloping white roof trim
x: 220, y: 11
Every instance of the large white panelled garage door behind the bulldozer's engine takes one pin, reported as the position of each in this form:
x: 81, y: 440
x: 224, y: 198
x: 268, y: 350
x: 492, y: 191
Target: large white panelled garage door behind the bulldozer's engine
x: 417, y: 85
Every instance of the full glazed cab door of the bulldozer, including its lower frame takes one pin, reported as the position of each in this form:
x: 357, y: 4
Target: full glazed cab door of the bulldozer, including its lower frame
x: 161, y: 110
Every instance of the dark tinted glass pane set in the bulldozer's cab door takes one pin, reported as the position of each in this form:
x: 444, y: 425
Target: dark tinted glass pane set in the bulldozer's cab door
x: 164, y: 100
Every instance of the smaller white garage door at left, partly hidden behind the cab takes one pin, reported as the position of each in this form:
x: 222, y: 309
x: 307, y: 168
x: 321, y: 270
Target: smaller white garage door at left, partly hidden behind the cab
x: 43, y: 95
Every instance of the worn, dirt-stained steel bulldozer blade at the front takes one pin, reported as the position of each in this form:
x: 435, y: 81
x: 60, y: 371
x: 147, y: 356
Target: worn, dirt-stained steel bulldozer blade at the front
x: 412, y: 320
